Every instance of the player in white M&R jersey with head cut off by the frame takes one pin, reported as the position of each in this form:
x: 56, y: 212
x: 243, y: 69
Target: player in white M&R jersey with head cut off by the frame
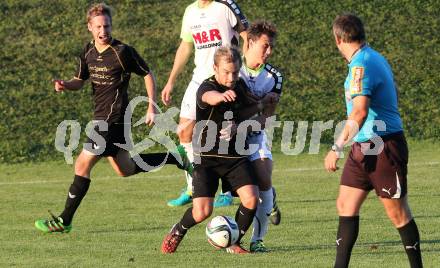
x: 206, y: 26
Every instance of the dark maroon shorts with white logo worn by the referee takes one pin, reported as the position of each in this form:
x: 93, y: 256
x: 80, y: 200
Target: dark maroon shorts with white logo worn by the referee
x: 385, y: 173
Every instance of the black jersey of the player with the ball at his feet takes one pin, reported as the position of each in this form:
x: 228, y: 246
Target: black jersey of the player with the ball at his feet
x: 216, y: 115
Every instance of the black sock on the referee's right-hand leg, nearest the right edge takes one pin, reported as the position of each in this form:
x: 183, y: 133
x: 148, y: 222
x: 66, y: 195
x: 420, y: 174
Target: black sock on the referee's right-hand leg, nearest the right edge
x: 411, y: 242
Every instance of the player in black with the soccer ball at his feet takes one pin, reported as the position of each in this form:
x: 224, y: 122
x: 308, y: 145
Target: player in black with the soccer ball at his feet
x: 218, y: 96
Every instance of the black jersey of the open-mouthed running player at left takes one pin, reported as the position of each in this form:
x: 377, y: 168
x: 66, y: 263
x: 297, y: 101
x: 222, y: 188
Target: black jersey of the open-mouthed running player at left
x: 109, y: 72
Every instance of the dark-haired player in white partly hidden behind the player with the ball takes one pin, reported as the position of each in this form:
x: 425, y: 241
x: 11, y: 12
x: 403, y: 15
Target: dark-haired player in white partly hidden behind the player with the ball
x: 262, y: 79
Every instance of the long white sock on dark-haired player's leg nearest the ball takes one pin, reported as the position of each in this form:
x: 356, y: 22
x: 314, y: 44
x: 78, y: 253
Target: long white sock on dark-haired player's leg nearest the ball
x: 261, y: 219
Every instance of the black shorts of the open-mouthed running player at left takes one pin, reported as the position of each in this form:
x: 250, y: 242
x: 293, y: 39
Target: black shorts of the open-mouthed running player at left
x: 114, y: 134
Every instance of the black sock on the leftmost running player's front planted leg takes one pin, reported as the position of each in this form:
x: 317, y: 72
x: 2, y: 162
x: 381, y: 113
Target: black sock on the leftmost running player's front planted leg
x: 77, y: 191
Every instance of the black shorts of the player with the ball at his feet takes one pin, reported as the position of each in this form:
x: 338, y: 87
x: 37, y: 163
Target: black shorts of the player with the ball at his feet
x: 234, y: 173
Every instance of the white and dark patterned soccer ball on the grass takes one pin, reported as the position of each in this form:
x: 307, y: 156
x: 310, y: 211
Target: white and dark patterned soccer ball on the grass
x: 222, y: 231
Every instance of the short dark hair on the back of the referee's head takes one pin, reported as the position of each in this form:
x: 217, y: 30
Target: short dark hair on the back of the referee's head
x: 349, y: 28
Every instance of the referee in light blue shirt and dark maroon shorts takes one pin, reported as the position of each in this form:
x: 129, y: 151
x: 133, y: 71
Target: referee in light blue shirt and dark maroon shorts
x: 378, y: 159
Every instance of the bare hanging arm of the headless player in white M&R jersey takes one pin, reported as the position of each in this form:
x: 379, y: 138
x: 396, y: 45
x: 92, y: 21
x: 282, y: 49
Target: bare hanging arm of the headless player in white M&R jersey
x: 182, y: 56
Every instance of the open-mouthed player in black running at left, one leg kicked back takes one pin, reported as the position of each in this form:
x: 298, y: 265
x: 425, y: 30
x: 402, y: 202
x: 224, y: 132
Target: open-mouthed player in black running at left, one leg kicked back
x: 108, y: 63
